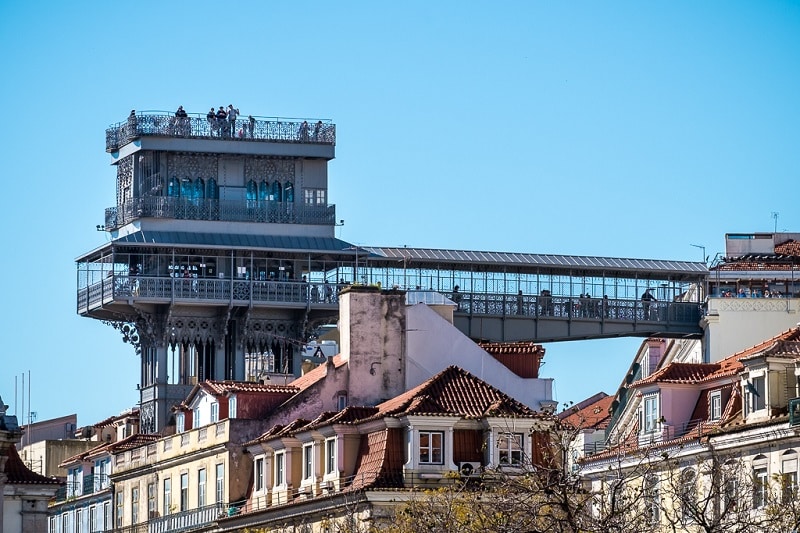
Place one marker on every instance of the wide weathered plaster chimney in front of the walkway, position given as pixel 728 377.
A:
pixel 372 326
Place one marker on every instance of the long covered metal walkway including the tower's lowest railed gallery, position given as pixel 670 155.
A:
pixel 499 297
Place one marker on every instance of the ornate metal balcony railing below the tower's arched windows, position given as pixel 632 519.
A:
pixel 224 210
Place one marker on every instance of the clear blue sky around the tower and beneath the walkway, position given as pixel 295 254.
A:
pixel 622 129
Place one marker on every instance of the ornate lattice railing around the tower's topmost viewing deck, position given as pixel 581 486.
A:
pixel 199 127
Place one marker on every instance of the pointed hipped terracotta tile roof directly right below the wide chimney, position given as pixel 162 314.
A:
pixel 454 392
